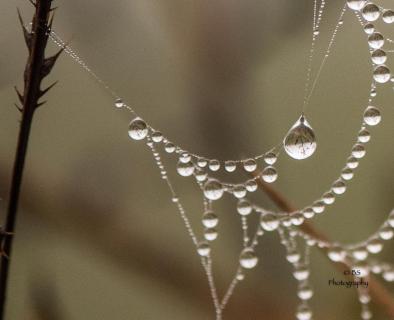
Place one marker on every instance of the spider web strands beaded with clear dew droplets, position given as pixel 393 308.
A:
pixel 213 189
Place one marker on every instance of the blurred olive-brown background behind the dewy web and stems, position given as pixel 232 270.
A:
pixel 97 235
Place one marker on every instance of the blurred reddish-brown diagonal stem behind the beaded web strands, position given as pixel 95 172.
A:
pixel 380 295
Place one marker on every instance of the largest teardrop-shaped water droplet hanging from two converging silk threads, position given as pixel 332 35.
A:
pixel 300 141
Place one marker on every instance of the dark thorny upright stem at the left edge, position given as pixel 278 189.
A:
pixel 37 68
